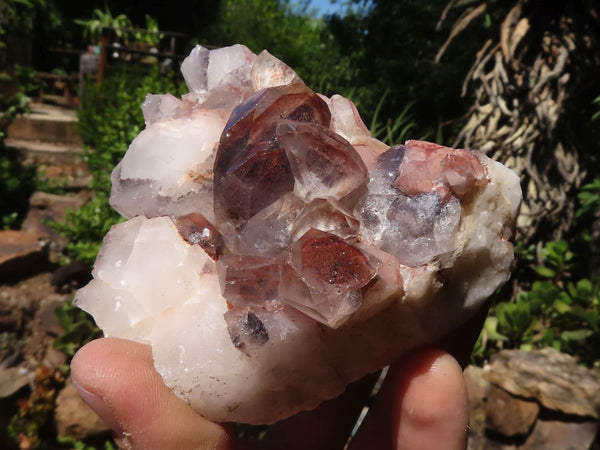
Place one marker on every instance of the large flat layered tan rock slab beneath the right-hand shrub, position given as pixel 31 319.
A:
pixel 552 378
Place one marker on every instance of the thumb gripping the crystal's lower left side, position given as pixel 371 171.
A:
pixel 117 379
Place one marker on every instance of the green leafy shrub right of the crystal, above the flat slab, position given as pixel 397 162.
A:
pixel 561 305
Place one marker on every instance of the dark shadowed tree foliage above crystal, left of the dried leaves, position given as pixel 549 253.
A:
pixel 391 45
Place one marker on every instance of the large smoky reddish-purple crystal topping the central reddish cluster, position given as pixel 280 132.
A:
pixel 255 162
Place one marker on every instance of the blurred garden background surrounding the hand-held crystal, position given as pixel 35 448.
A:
pixel 516 79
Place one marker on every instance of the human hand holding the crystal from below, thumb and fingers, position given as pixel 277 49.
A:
pixel 422 405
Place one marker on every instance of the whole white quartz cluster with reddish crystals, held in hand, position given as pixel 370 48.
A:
pixel 275 252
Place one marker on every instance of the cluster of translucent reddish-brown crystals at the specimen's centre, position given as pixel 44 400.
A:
pixel 280 175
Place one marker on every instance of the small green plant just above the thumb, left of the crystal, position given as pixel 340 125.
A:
pixel 78 326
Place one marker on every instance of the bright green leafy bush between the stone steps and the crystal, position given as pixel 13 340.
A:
pixel 110 118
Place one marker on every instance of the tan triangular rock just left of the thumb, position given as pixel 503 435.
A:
pixel 74 417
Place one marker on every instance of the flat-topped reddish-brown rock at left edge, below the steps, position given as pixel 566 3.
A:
pixel 21 252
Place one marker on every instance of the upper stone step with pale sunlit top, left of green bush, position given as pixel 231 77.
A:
pixel 49 123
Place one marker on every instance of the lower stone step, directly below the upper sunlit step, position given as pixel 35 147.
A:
pixel 61 162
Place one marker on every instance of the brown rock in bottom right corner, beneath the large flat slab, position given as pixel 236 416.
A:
pixel 561 435
